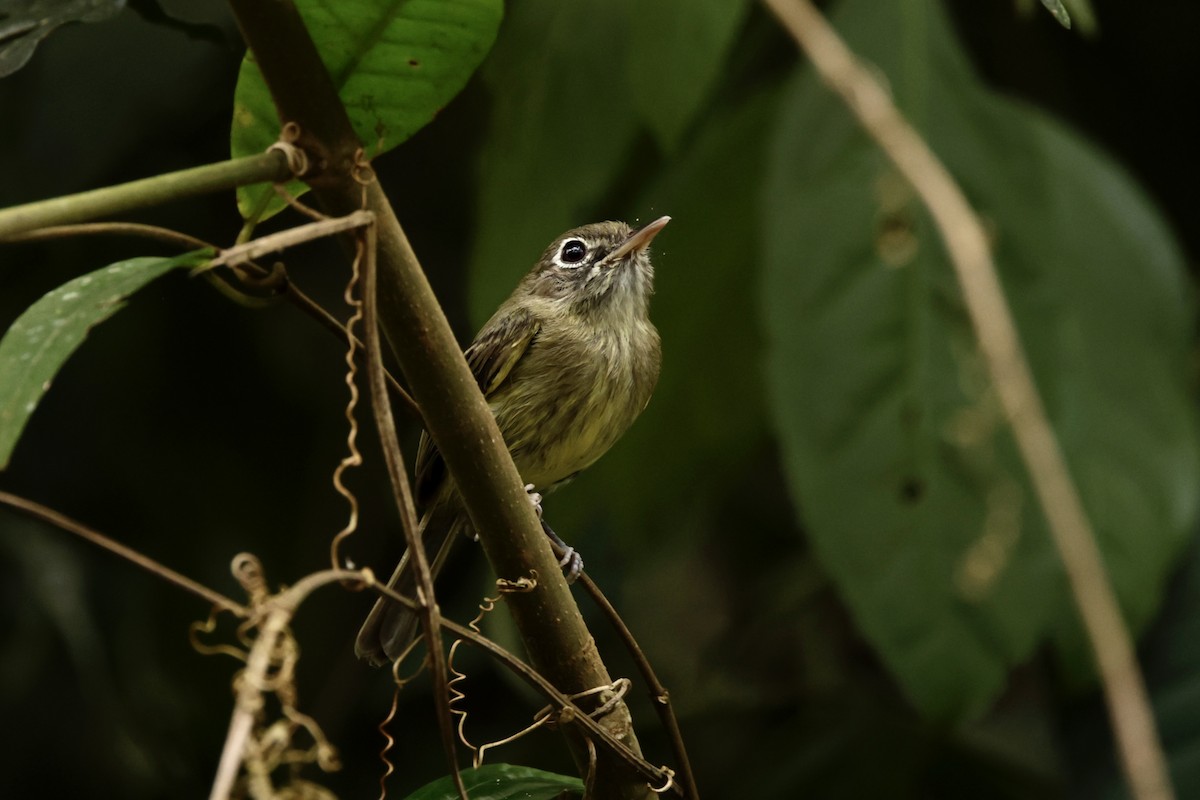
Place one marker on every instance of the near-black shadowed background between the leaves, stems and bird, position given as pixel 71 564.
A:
pixel 193 430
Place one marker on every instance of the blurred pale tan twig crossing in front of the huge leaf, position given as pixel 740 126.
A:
pixel 1133 723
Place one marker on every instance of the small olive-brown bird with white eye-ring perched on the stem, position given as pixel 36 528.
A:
pixel 567 365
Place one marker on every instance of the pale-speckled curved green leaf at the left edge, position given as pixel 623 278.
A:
pixel 43 339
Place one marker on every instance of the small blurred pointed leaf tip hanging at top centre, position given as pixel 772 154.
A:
pixel 676 52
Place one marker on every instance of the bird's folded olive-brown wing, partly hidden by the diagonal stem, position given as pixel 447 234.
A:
pixel 491 358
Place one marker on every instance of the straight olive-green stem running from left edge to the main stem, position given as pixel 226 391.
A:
pixel 113 201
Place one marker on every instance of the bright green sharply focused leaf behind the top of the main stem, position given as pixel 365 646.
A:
pixel 395 67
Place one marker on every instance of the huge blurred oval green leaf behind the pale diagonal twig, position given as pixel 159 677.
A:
pixel 897 454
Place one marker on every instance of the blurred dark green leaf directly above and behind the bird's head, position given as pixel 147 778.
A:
pixel 562 124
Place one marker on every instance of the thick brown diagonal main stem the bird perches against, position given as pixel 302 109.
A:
pixel 455 412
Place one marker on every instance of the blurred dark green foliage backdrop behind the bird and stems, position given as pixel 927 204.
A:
pixel 819 387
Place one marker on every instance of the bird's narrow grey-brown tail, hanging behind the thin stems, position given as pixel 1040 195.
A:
pixel 391 627
